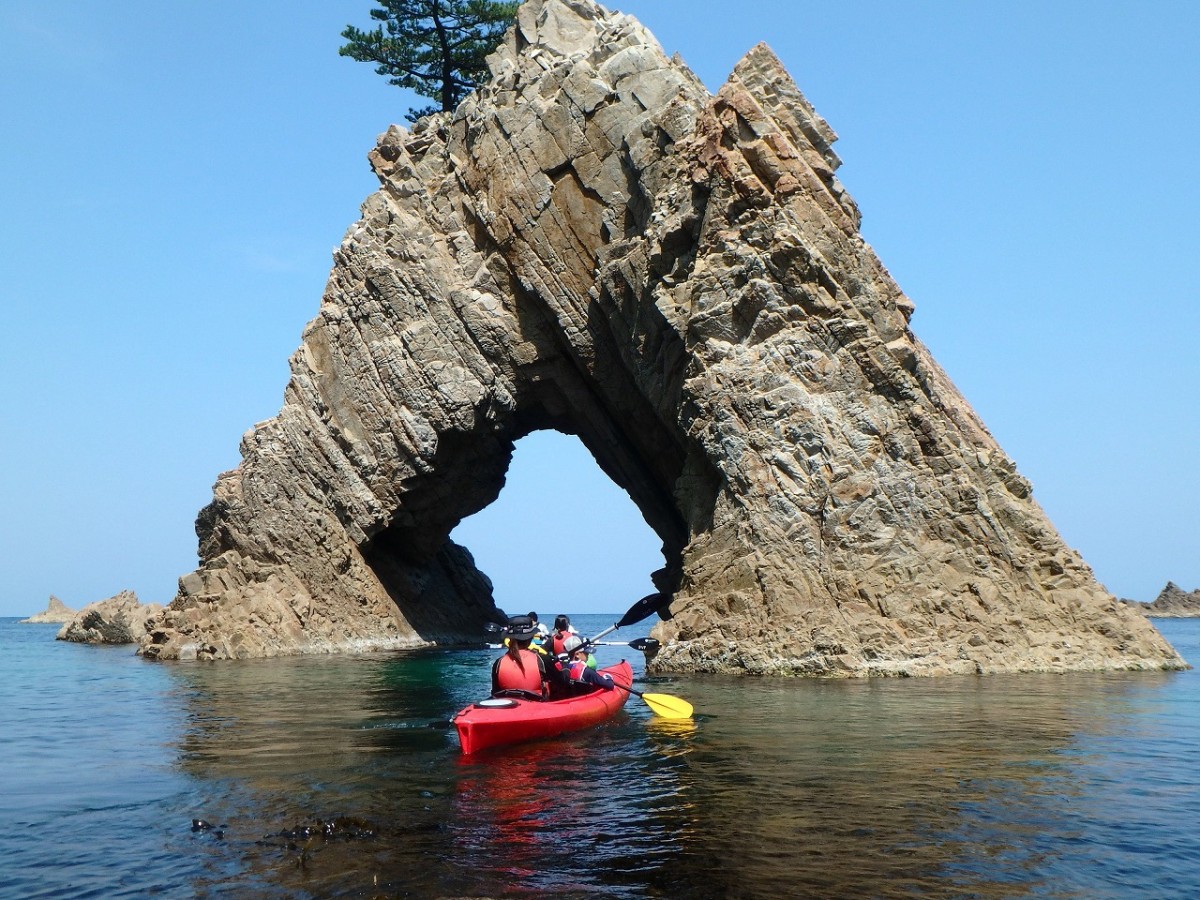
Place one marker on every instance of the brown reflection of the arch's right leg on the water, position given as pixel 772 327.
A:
pixel 885 789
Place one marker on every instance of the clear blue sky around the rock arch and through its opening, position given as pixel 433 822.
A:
pixel 175 178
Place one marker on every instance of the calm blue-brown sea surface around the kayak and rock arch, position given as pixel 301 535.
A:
pixel 338 777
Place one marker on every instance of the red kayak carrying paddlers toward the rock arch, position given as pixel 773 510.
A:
pixel 505 721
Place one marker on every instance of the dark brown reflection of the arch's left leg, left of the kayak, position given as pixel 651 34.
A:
pixel 325 772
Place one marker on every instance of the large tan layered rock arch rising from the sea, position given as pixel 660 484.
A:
pixel 596 244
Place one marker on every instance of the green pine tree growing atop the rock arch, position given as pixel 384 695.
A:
pixel 434 47
